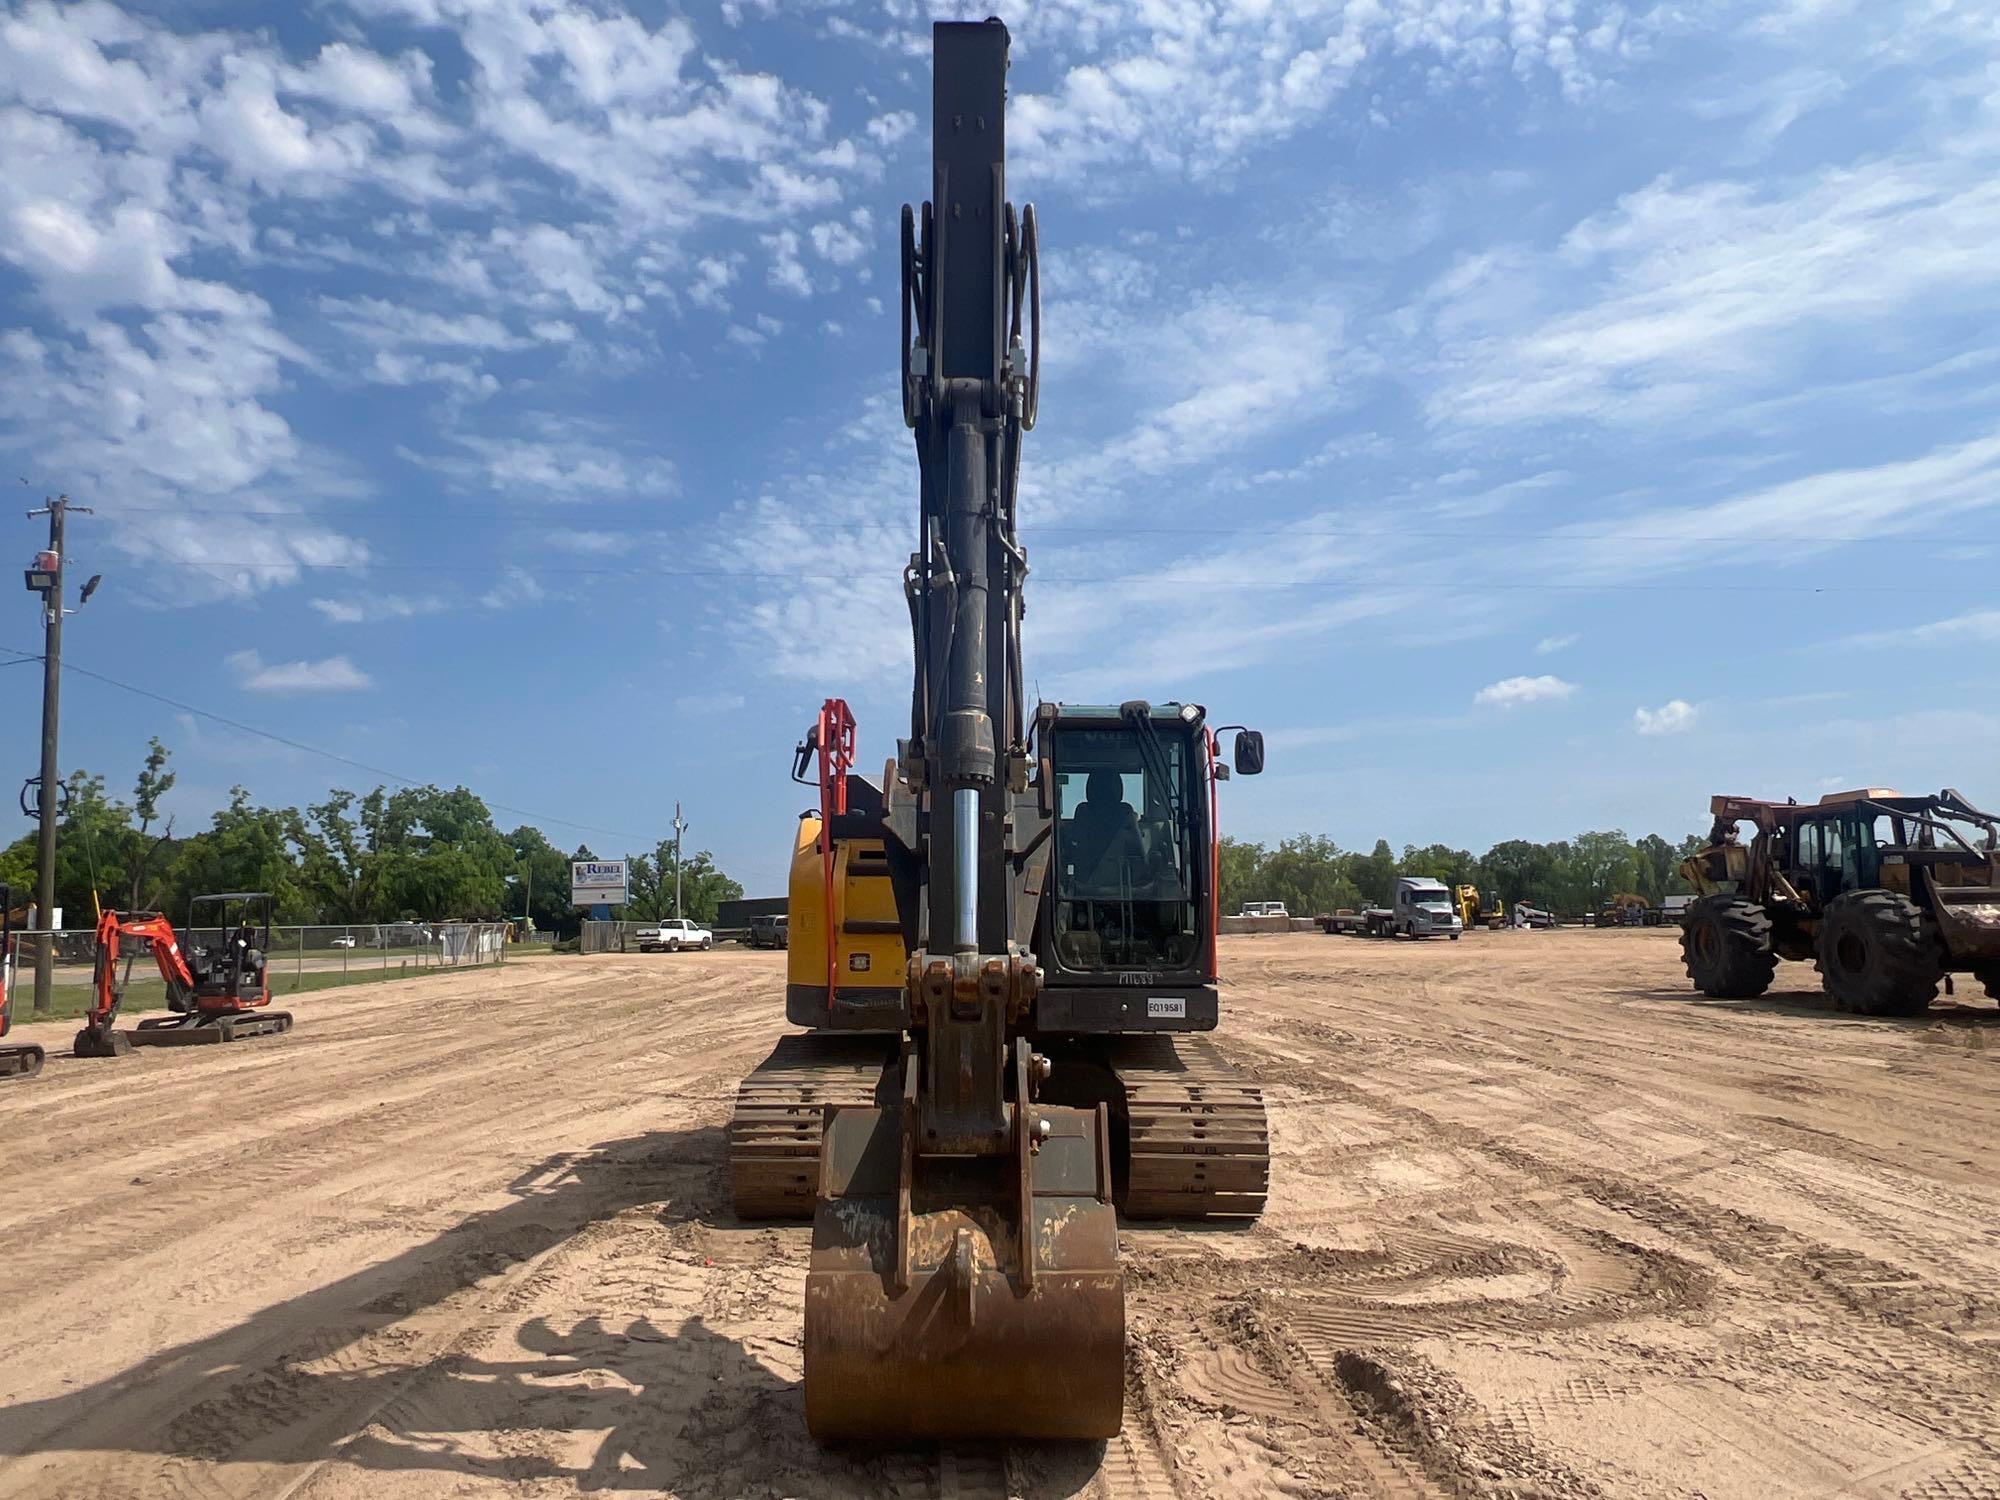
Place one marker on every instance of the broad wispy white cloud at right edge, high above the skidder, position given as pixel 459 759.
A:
pixel 1687 297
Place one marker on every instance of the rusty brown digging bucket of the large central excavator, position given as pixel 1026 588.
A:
pixel 933 1317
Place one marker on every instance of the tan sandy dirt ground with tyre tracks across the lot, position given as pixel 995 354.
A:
pixel 1543 1225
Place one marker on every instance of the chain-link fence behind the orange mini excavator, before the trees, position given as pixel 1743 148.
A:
pixel 299 959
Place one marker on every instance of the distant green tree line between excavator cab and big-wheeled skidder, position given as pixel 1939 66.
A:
pixel 1571 877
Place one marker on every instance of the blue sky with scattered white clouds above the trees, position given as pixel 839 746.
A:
pixel 1537 415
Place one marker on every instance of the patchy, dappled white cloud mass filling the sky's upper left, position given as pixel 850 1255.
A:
pixel 153 169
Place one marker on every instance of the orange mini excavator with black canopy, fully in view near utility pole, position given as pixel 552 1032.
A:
pixel 217 989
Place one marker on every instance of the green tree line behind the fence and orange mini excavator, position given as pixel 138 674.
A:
pixel 407 855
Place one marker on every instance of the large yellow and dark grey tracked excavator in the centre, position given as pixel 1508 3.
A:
pixel 1005 951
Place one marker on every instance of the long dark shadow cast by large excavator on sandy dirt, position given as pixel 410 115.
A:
pixel 681 1407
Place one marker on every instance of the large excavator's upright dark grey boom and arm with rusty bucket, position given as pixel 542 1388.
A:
pixel 965 1257
